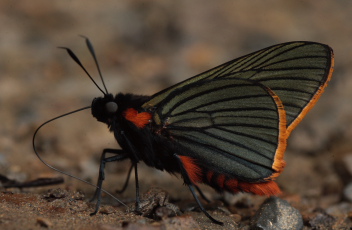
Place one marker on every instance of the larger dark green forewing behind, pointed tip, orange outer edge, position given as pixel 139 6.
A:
pixel 297 72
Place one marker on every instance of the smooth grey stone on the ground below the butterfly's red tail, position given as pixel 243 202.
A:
pixel 276 213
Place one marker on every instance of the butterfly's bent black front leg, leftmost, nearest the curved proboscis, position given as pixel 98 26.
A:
pixel 120 155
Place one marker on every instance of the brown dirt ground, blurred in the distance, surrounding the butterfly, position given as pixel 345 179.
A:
pixel 143 47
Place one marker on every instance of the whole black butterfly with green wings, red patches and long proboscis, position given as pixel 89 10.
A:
pixel 226 127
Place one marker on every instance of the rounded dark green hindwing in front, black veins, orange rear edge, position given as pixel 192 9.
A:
pixel 233 126
